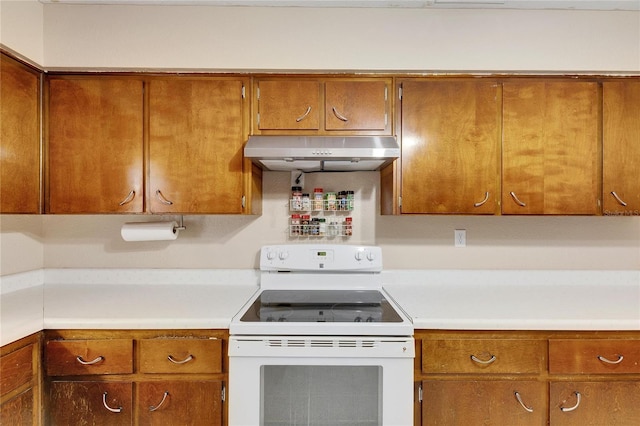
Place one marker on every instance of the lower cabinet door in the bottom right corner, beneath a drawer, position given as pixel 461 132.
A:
pixel 595 403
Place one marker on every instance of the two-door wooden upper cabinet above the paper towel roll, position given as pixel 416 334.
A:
pixel 175 149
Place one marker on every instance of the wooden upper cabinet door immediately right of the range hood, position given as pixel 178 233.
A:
pixel 450 138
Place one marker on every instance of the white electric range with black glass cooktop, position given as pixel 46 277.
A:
pixel 321 343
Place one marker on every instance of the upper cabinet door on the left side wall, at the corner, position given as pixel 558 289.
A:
pixel 19 138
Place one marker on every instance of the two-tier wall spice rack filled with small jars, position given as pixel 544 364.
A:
pixel 317 215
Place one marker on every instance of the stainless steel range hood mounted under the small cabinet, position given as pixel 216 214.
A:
pixel 322 153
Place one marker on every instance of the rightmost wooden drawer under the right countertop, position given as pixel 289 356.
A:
pixel 594 356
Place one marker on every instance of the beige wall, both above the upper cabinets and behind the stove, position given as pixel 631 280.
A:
pixel 325 39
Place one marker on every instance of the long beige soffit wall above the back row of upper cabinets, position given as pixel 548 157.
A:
pixel 360 39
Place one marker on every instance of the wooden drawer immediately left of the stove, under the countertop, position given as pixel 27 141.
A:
pixel 180 355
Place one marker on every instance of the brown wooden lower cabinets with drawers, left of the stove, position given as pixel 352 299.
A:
pixel 136 377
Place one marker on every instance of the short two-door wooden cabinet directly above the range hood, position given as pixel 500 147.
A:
pixel 322 106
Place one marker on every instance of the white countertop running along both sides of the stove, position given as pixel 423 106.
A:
pixel 183 299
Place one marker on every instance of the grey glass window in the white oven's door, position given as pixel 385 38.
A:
pixel 320 395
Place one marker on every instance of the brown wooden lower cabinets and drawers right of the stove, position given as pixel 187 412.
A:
pixel 527 378
